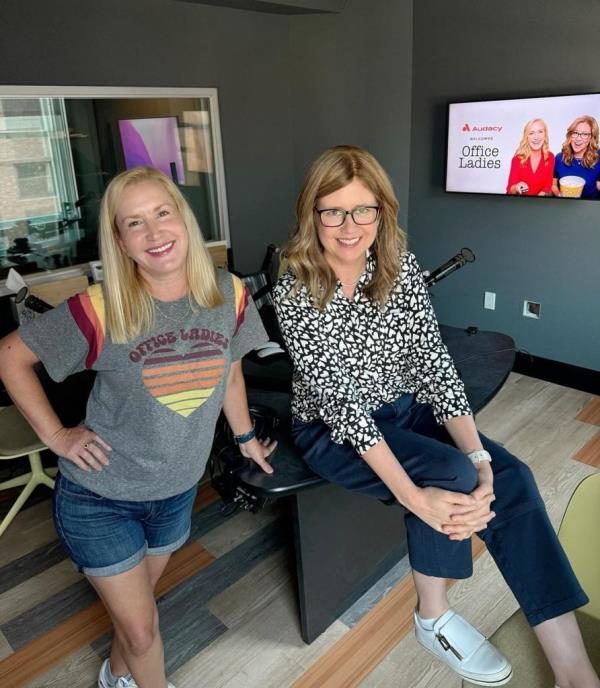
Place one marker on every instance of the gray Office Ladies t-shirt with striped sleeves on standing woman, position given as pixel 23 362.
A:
pixel 155 400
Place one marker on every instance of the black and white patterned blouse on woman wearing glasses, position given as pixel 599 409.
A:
pixel 352 357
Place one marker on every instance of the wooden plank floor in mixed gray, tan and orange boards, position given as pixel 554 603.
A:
pixel 228 601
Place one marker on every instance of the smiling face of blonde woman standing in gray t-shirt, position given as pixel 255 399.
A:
pixel 152 233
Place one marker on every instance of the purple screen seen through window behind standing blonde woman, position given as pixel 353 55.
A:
pixel 153 141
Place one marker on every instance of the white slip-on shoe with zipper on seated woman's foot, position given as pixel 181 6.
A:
pixel 465 650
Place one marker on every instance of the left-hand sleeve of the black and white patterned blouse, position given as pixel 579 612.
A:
pixel 320 377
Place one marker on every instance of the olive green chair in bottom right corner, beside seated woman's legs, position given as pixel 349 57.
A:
pixel 580 536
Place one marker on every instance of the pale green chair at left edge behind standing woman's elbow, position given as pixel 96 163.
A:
pixel 18 439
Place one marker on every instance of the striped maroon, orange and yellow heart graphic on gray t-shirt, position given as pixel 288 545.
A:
pixel 183 382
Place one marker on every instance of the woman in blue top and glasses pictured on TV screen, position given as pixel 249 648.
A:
pixel 580 157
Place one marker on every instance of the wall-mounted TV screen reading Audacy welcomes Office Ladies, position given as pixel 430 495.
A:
pixel 525 147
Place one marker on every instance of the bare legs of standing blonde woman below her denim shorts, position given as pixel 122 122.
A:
pixel 129 599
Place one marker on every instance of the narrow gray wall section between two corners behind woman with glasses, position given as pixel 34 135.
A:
pixel 351 77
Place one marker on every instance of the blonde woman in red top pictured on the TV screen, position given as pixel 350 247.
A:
pixel 532 166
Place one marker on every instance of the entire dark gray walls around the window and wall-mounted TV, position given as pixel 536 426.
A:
pixel 291 86
